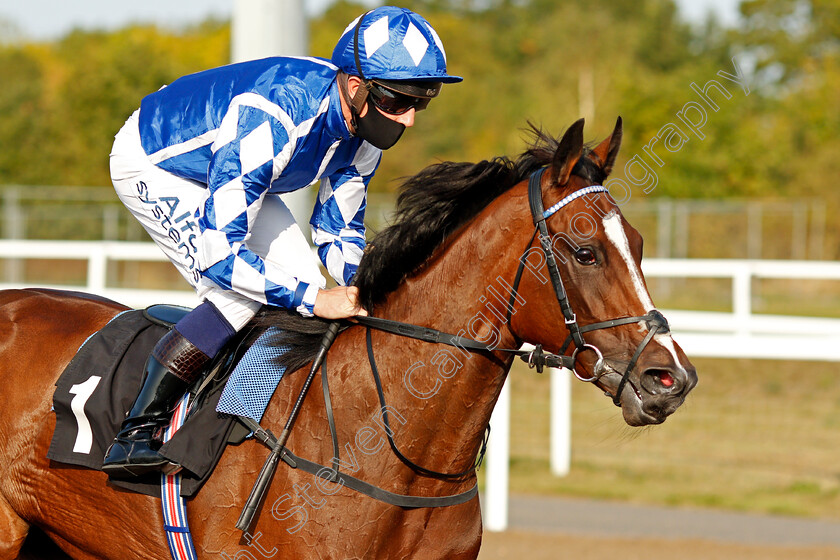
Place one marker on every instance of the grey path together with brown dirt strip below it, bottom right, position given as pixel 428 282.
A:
pixel 558 528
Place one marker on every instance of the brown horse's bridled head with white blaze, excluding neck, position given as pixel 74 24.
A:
pixel 593 301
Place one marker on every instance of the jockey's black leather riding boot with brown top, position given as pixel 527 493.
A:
pixel 174 365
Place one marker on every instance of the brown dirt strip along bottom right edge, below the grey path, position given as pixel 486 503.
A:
pixel 521 545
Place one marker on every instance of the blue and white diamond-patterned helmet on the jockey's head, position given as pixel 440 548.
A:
pixel 394 44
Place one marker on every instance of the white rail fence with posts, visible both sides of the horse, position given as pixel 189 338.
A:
pixel 740 333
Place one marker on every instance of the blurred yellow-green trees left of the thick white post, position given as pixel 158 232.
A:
pixel 63 102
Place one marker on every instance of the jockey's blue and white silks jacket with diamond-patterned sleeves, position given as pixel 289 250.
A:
pixel 252 129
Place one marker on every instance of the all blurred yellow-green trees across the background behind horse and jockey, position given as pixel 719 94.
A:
pixel 523 60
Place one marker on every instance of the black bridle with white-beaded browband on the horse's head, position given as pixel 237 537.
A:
pixel 654 320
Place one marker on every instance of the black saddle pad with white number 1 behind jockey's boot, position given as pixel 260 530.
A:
pixel 100 385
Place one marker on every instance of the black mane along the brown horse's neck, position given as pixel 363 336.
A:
pixel 431 206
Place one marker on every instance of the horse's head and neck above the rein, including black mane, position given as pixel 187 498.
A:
pixel 578 290
